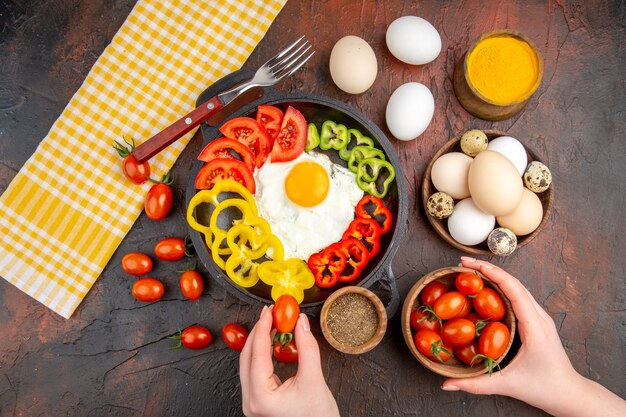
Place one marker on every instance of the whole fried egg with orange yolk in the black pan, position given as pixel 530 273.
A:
pixel 309 202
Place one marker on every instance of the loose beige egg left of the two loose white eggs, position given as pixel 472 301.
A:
pixel 353 65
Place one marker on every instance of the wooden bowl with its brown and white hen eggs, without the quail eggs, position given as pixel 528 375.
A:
pixel 515 208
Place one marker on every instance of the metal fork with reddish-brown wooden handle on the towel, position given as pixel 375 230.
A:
pixel 277 68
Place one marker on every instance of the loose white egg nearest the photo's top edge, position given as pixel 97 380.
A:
pixel 413 40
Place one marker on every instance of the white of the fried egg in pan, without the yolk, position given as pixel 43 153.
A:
pixel 306 230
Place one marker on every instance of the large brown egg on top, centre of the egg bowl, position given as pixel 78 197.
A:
pixel 494 183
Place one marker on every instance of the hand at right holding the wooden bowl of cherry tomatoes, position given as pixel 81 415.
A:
pixel 541 374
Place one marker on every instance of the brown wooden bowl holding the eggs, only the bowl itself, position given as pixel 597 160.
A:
pixel 441 225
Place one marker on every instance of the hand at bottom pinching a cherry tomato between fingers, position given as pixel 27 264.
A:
pixel 263 394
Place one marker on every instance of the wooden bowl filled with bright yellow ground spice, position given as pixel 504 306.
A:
pixel 498 75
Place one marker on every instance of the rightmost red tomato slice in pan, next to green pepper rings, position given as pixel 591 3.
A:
pixel 291 139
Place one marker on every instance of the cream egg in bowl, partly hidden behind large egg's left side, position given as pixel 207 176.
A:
pixel 449 174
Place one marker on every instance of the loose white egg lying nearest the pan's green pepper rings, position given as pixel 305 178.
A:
pixel 409 110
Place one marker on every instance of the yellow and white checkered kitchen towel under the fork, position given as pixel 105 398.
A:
pixel 70 206
